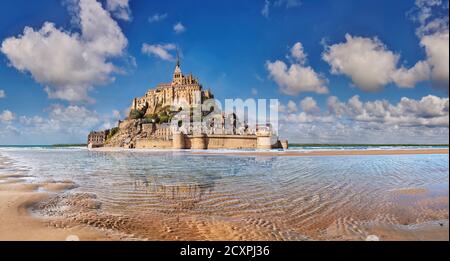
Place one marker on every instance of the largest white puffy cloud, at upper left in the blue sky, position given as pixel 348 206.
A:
pixel 69 64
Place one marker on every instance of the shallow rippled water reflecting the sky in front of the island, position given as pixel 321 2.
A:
pixel 328 197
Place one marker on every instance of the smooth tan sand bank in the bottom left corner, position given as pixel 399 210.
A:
pixel 16 222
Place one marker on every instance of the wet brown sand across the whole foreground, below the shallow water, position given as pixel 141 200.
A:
pixel 64 214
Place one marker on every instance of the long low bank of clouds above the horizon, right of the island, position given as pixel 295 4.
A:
pixel 424 120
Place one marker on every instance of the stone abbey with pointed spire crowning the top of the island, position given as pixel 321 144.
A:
pixel 183 88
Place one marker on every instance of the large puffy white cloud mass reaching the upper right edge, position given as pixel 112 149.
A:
pixel 371 65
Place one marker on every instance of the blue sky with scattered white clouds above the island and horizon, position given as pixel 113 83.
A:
pixel 229 46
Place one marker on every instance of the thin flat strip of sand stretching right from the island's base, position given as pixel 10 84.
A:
pixel 328 152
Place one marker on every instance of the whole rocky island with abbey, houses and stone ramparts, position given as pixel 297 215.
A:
pixel 150 122
